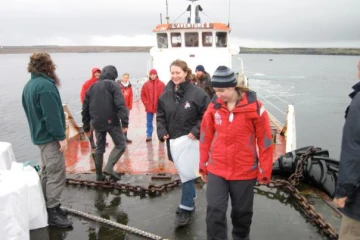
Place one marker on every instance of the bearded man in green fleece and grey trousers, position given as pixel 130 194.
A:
pixel 43 108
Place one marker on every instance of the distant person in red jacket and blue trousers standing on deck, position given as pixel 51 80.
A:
pixel 150 93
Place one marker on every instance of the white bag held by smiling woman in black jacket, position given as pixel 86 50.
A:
pixel 186 156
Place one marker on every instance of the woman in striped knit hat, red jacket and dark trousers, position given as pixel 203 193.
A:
pixel 235 152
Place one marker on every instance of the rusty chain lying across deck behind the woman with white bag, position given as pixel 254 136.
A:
pixel 151 190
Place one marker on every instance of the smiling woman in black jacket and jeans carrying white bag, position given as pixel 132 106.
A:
pixel 179 113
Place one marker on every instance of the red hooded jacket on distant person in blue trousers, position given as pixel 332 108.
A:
pixel 150 93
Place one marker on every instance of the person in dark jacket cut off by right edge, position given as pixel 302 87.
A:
pixel 347 194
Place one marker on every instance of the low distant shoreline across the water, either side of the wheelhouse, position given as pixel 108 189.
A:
pixel 114 49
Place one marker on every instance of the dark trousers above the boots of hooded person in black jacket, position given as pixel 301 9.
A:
pixel 116 135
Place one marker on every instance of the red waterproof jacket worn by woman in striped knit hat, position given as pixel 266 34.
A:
pixel 236 145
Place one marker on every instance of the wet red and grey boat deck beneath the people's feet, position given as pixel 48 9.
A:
pixel 276 215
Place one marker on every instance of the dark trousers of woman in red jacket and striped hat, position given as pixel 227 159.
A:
pixel 241 193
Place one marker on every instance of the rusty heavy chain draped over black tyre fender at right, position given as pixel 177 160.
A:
pixel 309 210
